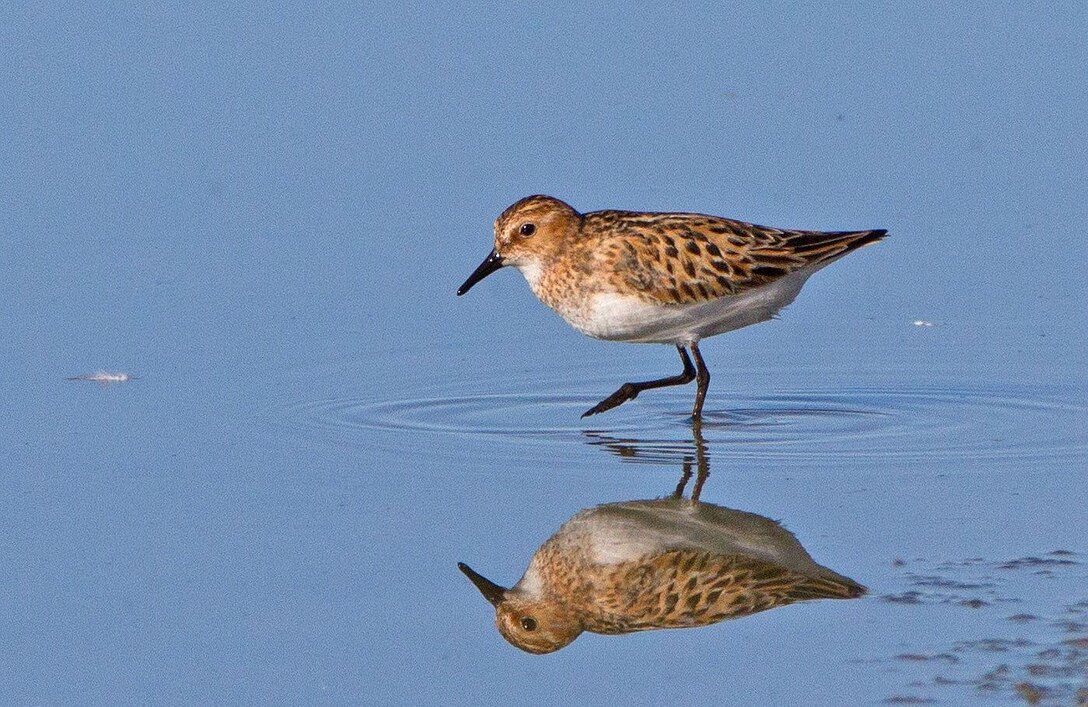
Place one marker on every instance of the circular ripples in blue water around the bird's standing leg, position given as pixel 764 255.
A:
pixel 965 423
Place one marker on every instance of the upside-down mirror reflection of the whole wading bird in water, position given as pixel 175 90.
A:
pixel 665 564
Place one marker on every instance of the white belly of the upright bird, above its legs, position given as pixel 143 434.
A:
pixel 626 318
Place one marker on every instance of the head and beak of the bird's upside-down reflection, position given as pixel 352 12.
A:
pixel 529 623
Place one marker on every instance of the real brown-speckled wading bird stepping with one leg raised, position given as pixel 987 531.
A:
pixel 659 278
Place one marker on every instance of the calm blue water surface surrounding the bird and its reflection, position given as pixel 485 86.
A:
pixel 264 212
